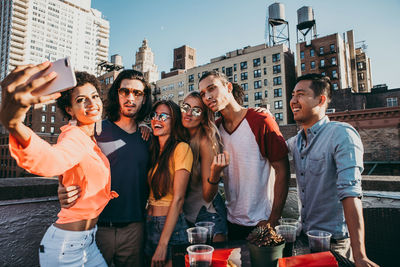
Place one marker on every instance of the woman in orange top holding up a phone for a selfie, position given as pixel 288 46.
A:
pixel 76 156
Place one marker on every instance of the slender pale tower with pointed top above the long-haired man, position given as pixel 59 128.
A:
pixel 145 63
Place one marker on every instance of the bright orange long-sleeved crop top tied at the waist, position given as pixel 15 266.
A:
pixel 78 158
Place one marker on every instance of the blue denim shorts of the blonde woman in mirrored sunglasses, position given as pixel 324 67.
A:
pixel 218 218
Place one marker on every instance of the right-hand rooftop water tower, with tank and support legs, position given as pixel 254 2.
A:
pixel 306 25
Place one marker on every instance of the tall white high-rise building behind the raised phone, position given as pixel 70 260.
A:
pixel 34 31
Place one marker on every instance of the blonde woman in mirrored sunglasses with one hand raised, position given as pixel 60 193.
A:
pixel 203 202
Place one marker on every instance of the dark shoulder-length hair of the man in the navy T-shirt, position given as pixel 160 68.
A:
pixel 112 103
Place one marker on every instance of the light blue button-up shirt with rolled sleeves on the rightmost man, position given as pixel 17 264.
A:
pixel 328 169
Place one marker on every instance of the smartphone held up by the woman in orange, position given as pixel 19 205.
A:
pixel 65 78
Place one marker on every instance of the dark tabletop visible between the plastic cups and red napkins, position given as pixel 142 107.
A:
pixel 300 248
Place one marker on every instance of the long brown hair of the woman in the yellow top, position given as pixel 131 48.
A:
pixel 161 181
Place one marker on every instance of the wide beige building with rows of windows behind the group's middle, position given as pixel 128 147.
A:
pixel 267 75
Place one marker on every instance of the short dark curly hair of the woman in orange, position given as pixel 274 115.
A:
pixel 82 78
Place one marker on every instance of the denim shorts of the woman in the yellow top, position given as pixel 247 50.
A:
pixel 154 227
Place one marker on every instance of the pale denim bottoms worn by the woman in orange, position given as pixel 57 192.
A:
pixel 70 248
